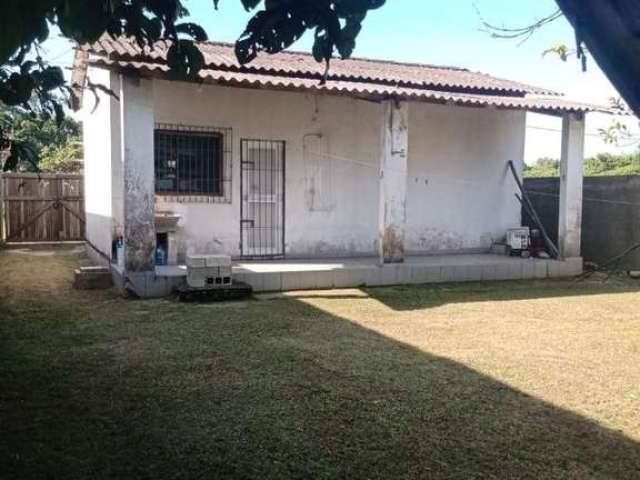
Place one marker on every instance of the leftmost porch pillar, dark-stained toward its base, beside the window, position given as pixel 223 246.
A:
pixel 137 122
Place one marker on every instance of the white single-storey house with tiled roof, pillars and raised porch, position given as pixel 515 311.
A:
pixel 386 173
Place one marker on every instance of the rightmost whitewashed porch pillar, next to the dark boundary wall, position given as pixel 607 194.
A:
pixel 572 156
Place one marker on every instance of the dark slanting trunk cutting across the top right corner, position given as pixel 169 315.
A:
pixel 610 29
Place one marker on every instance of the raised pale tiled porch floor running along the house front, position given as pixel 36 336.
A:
pixel 305 274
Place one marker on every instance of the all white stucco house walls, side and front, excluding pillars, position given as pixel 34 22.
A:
pixel 459 194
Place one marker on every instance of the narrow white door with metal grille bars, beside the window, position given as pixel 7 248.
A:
pixel 262 192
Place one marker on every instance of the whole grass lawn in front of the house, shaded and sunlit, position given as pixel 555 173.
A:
pixel 503 380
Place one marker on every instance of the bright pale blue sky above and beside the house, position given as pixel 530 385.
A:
pixel 451 33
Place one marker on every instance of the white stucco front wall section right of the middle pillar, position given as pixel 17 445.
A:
pixel 460 194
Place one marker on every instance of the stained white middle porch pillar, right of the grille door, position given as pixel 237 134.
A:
pixel 393 181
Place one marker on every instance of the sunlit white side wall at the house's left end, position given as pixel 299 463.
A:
pixel 101 143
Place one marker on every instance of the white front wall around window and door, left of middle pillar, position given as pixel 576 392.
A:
pixel 343 223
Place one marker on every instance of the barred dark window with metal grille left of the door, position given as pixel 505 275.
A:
pixel 193 164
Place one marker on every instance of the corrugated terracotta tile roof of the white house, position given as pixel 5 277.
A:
pixel 354 77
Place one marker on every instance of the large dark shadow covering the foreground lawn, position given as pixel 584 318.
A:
pixel 279 389
